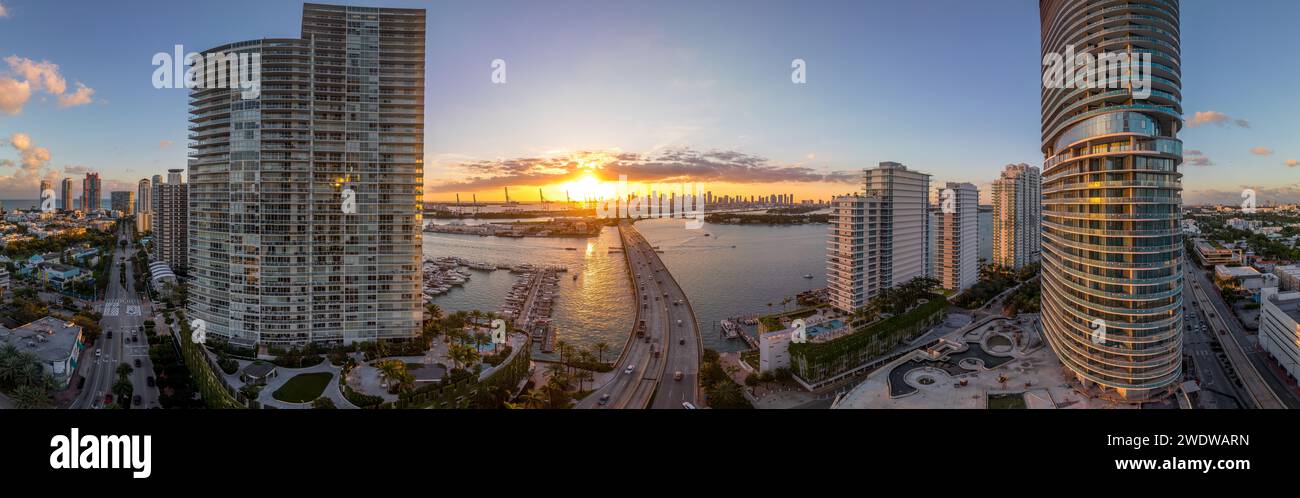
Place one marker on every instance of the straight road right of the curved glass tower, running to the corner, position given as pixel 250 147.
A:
pixel 1263 388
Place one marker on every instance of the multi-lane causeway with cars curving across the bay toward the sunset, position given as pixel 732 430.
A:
pixel 671 330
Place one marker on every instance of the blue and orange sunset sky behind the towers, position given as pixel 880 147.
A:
pixel 661 92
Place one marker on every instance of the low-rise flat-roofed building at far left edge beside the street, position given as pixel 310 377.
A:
pixel 55 343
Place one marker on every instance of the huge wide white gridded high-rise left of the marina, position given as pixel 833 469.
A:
pixel 278 256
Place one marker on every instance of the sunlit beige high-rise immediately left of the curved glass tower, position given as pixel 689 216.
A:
pixel 1017 209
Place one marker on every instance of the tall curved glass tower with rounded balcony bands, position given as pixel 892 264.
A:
pixel 1112 198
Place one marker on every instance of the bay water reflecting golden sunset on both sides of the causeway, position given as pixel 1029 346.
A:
pixel 766 266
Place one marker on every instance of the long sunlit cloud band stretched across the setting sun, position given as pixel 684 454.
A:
pixel 664 167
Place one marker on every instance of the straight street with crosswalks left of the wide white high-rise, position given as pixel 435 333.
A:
pixel 124 314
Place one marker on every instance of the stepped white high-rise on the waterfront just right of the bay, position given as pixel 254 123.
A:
pixel 879 239
